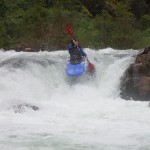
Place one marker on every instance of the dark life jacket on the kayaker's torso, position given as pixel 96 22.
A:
pixel 75 56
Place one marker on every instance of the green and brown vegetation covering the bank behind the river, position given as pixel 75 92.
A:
pixel 120 24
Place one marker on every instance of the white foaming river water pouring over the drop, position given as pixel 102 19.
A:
pixel 86 115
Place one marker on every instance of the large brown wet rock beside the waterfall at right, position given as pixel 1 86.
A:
pixel 135 83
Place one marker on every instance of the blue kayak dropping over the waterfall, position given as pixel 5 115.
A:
pixel 75 69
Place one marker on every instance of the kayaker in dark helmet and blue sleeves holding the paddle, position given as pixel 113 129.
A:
pixel 76 52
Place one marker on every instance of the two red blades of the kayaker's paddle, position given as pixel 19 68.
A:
pixel 69 30
